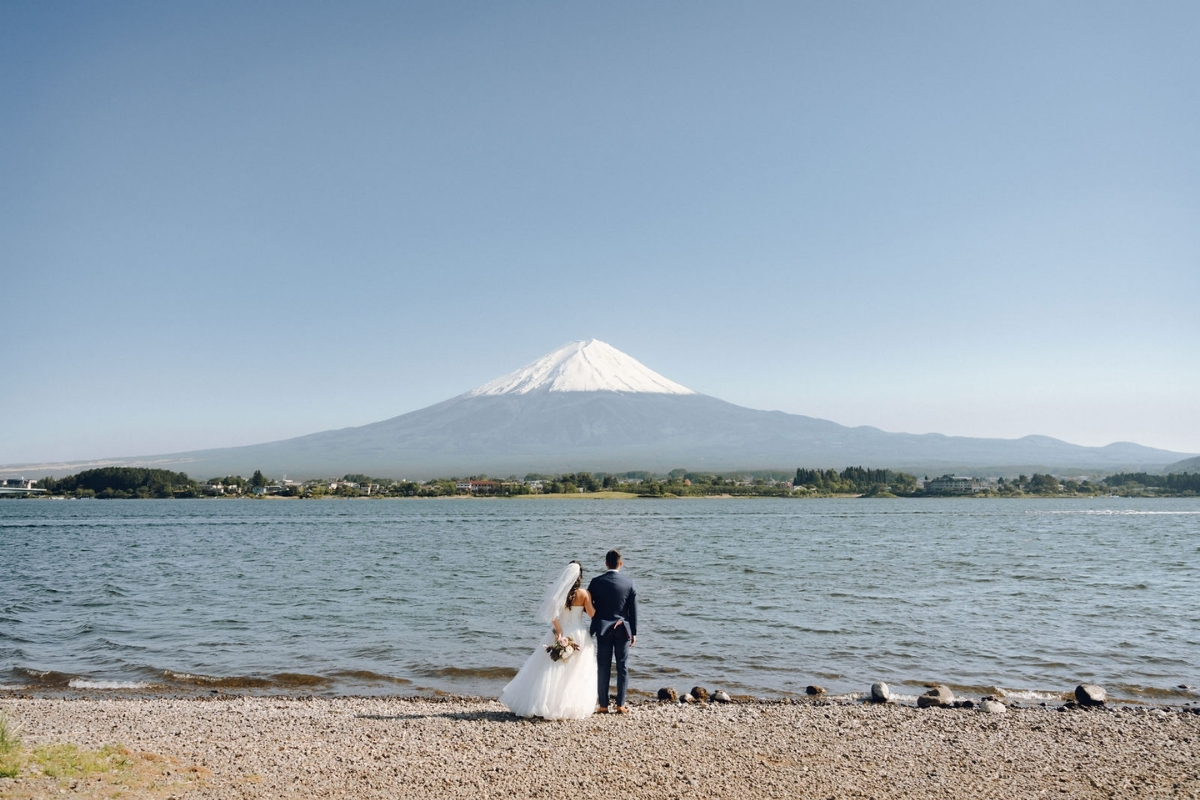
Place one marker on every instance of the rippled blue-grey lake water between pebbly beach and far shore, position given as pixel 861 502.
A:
pixel 757 597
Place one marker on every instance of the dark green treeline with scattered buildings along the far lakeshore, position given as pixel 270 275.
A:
pixel 133 483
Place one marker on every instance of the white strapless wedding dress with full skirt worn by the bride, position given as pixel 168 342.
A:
pixel 557 690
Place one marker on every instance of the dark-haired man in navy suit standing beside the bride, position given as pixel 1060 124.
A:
pixel 615 628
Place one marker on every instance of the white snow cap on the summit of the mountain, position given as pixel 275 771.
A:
pixel 591 366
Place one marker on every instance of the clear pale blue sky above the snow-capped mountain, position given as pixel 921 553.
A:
pixel 229 224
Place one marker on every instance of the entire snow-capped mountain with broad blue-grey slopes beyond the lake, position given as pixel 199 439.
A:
pixel 590 407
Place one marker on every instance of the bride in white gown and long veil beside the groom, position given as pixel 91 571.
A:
pixel 565 689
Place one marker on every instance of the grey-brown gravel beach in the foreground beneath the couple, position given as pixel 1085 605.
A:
pixel 395 748
